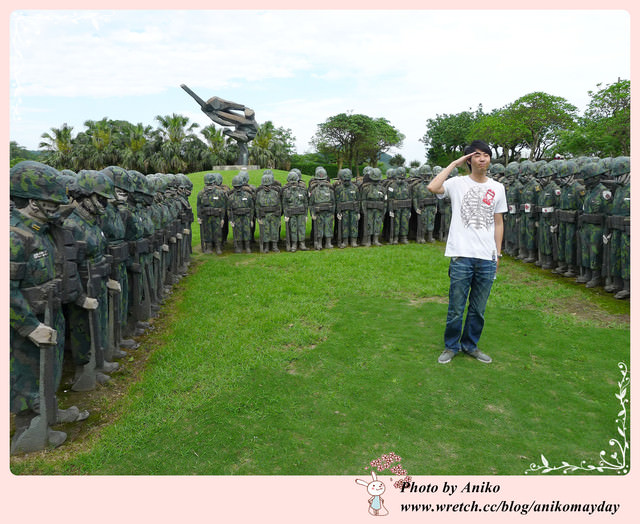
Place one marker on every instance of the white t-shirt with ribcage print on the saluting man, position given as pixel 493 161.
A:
pixel 471 233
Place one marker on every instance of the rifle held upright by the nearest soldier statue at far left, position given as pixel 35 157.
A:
pixel 36 436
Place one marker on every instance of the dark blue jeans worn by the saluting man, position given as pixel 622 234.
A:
pixel 471 278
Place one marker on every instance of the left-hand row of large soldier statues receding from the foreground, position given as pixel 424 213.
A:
pixel 92 257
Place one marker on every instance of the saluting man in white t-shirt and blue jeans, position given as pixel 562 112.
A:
pixel 474 244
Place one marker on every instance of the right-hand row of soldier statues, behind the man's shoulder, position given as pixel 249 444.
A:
pixel 572 217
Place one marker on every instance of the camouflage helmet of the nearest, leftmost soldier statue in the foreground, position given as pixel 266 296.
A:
pixel 31 179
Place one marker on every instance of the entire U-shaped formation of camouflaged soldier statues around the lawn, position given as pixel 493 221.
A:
pixel 94 254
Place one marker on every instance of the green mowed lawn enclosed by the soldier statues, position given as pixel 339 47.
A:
pixel 315 363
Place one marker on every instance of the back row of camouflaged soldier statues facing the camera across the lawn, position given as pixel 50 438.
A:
pixel 353 212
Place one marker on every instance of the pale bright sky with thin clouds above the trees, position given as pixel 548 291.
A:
pixel 298 68
